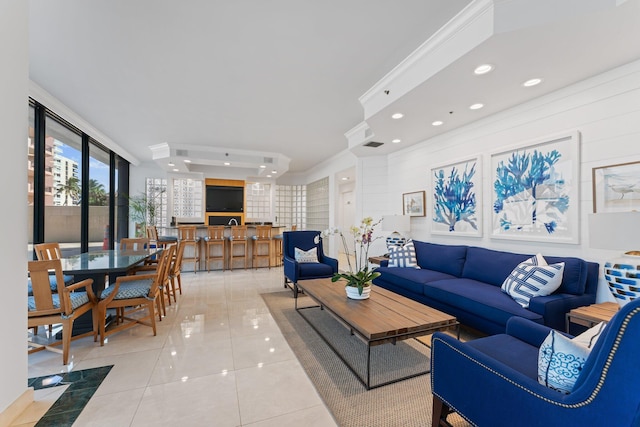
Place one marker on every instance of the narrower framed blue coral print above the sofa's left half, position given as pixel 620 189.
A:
pixel 456 198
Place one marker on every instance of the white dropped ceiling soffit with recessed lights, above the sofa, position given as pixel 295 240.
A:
pixel 560 42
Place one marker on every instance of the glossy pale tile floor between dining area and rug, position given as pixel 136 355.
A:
pixel 219 359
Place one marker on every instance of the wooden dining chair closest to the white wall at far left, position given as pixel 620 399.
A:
pixel 63 307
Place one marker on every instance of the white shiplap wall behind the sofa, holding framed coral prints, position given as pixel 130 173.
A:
pixel 604 109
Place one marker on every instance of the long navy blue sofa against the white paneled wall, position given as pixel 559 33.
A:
pixel 465 281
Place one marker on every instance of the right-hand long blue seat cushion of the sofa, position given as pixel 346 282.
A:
pixel 480 299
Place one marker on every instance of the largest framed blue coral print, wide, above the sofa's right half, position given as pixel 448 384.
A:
pixel 536 190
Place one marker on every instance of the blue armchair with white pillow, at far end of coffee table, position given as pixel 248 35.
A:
pixel 293 270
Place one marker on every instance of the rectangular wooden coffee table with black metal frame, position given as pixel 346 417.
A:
pixel 385 317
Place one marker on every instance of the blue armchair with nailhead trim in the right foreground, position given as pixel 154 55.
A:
pixel 492 381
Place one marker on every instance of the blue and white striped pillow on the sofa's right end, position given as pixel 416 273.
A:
pixel 533 278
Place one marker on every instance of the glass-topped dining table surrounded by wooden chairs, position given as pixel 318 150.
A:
pixel 103 266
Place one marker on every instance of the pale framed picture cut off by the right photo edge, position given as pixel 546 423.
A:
pixel 616 188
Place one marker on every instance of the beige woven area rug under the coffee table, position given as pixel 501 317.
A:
pixel 405 403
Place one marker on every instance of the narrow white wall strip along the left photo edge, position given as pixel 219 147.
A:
pixel 14 74
